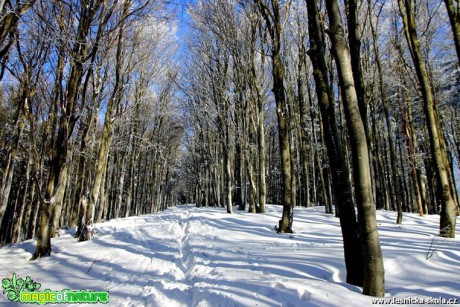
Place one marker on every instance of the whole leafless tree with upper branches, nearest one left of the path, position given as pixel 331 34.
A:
pixel 68 110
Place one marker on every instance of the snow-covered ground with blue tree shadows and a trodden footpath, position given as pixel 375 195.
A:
pixel 187 256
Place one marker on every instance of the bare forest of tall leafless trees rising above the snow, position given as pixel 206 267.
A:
pixel 118 108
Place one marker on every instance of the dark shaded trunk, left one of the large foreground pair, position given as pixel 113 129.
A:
pixel 339 169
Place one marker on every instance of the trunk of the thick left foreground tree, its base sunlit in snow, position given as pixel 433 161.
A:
pixel 67 99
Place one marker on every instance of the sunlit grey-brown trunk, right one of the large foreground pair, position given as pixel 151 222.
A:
pixel 373 262
